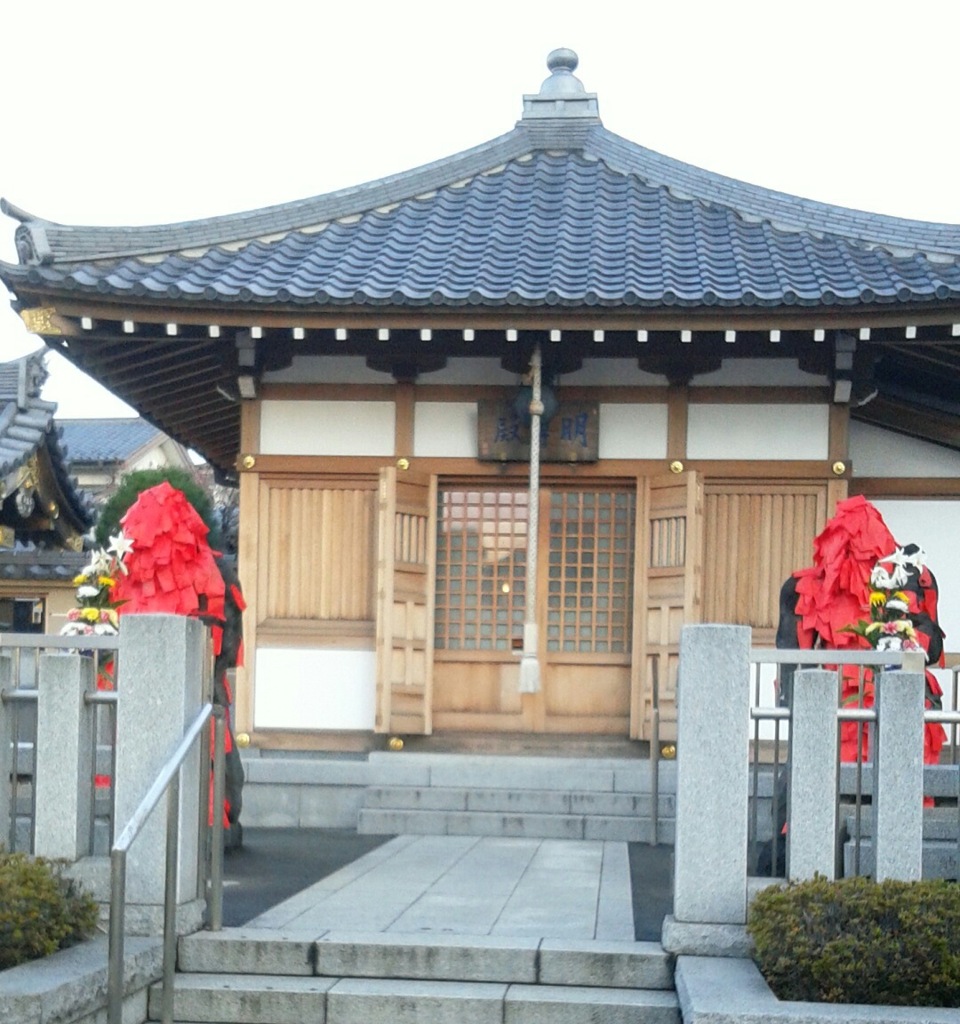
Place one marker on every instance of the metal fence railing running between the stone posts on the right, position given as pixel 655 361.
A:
pixel 772 762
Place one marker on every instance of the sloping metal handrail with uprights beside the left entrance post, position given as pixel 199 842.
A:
pixel 168 781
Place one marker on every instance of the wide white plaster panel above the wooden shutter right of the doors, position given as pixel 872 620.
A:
pixel 749 432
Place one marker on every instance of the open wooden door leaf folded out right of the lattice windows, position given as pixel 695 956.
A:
pixel 669 579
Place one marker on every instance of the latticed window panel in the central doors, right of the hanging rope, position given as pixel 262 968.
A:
pixel 590 603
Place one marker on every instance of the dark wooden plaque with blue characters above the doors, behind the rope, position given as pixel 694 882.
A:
pixel 572 435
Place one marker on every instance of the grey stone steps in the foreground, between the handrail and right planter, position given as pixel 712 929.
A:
pixel 255 976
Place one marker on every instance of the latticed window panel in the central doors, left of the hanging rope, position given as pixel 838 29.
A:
pixel 482 569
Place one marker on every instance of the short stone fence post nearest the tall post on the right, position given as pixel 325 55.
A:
pixel 814 774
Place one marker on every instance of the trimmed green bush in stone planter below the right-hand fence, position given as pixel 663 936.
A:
pixel 860 942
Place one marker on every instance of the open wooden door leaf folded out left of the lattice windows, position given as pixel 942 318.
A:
pixel 407 559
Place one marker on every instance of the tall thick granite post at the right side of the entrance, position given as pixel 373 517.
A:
pixel 713 776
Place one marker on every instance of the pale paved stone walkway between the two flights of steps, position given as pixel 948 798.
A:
pixel 467 885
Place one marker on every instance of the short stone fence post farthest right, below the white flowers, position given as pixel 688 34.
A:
pixel 898 794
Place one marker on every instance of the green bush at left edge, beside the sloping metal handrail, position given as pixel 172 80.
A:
pixel 40 911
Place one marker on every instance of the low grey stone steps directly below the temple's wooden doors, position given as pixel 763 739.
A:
pixel 528 797
